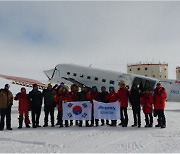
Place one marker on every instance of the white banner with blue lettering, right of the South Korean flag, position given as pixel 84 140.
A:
pixel 108 111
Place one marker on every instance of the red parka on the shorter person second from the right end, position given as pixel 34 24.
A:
pixel 147 103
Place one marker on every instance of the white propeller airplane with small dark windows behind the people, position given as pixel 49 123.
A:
pixel 88 76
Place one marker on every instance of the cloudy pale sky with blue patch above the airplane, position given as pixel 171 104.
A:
pixel 35 36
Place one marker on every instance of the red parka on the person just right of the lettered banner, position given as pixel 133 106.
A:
pixel 123 95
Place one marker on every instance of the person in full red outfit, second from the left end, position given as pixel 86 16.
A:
pixel 23 107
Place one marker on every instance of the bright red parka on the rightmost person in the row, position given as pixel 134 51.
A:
pixel 159 98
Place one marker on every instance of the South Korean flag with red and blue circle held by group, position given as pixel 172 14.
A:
pixel 77 110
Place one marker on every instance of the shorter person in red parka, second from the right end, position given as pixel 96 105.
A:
pixel 147 104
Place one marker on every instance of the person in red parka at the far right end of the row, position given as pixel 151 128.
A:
pixel 159 105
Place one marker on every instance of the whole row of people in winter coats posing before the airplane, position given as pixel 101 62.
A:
pixel 153 104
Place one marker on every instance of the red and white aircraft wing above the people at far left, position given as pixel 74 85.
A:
pixel 23 81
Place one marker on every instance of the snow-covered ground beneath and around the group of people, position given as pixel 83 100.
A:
pixel 95 139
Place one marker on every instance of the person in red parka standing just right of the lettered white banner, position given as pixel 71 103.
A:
pixel 123 97
